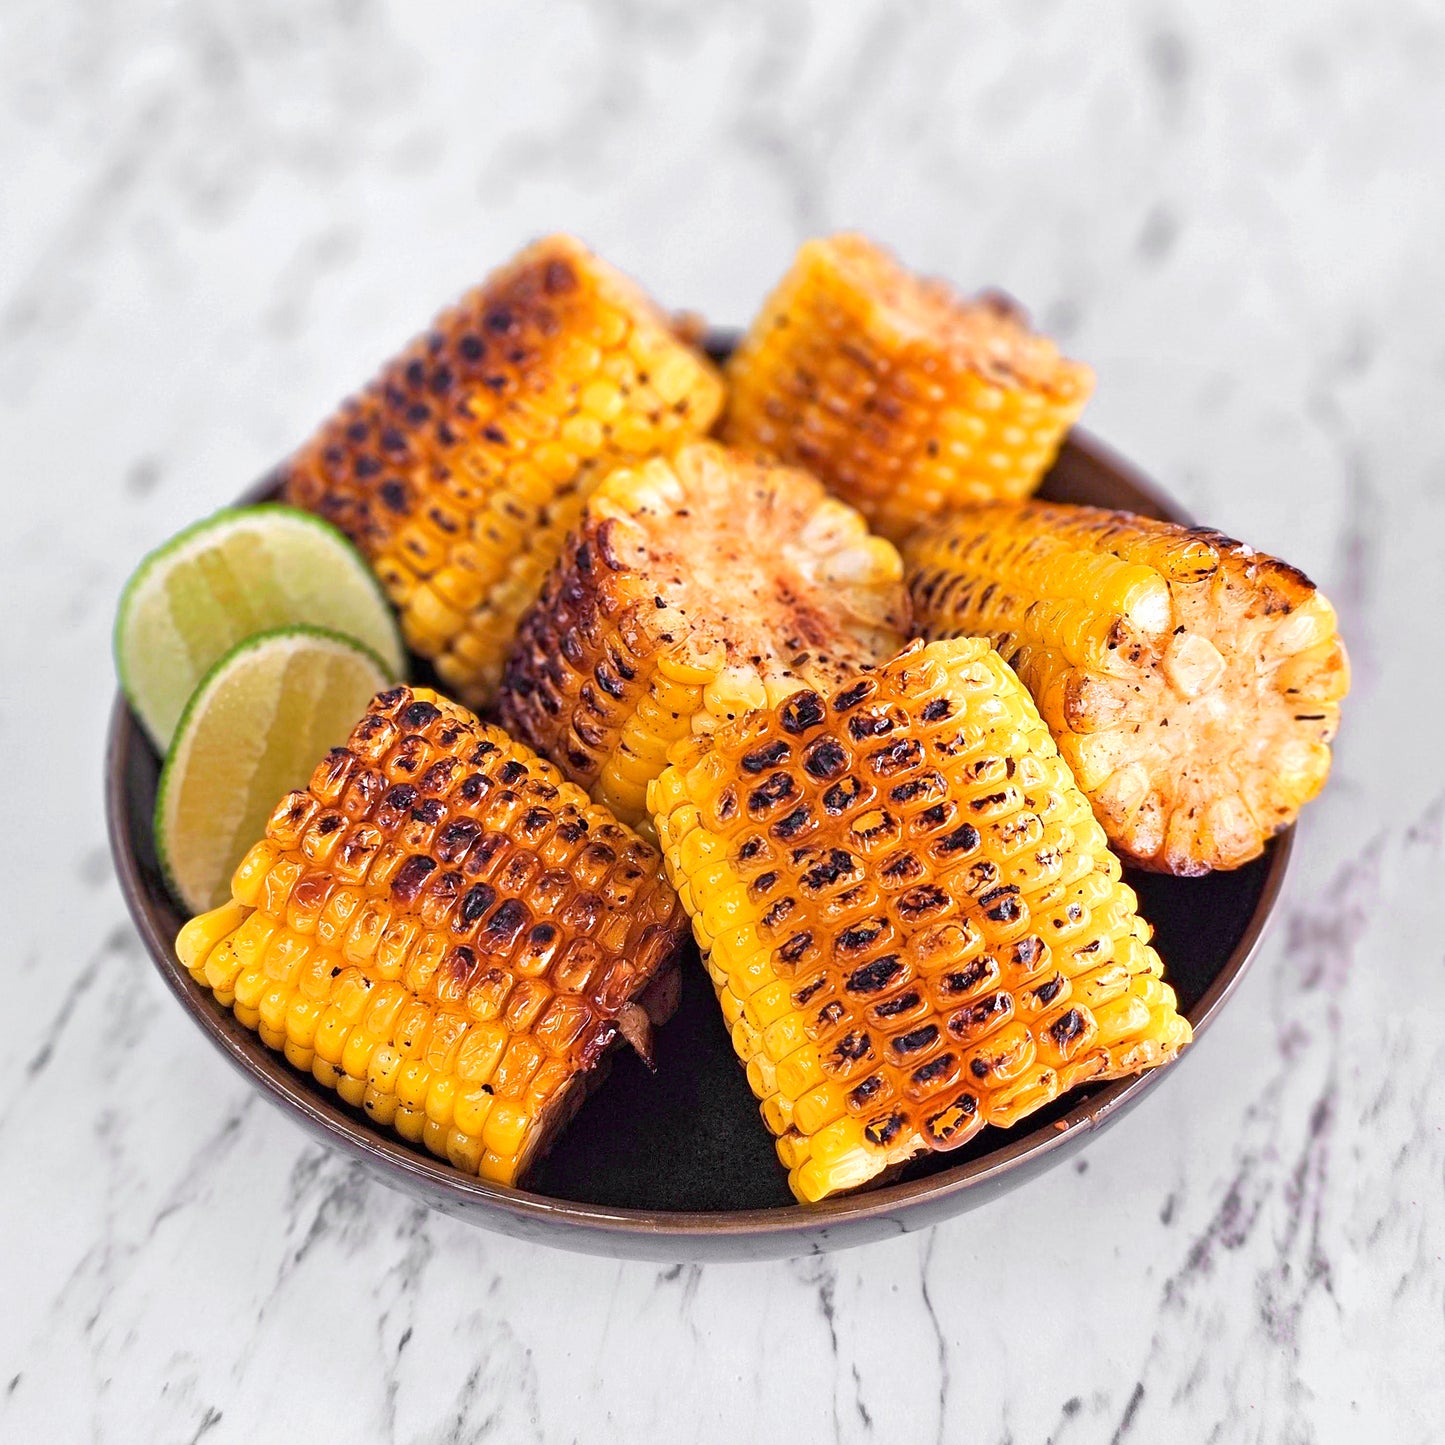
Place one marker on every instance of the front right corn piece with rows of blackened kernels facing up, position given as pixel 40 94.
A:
pixel 913 921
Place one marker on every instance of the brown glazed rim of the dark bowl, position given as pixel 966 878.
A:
pixel 398 1163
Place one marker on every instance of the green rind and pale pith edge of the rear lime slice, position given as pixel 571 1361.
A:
pixel 213 531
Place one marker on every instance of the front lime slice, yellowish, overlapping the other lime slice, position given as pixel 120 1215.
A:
pixel 259 723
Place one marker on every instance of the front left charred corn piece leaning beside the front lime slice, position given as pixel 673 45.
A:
pixel 446 933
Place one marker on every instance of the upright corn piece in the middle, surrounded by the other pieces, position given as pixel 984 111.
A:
pixel 697 587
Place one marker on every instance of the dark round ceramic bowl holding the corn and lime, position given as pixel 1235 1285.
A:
pixel 678 1165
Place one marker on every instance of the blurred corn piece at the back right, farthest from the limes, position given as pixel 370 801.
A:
pixel 902 397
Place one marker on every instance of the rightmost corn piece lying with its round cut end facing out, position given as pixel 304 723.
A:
pixel 1191 683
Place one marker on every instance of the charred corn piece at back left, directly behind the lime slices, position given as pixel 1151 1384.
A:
pixel 463 466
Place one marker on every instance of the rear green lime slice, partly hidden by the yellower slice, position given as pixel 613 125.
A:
pixel 236 574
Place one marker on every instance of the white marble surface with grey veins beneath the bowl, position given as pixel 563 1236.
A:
pixel 216 216
